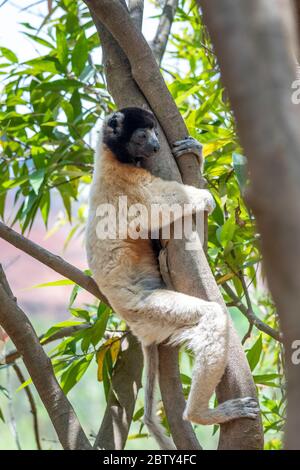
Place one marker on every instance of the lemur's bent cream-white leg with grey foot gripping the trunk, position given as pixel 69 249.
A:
pixel 203 327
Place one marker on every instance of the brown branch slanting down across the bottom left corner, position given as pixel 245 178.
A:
pixel 20 330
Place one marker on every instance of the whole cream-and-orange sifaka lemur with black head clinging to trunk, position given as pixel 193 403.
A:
pixel 127 269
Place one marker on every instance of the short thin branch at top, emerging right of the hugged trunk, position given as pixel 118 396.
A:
pixel 162 34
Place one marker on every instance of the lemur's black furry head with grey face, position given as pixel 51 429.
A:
pixel 131 134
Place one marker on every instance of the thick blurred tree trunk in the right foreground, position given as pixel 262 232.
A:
pixel 256 45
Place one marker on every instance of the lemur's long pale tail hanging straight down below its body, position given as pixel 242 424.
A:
pixel 150 418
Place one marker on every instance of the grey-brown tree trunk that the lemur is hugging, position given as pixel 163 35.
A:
pixel 190 272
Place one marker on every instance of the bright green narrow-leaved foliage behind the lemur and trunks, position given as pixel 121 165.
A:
pixel 49 106
